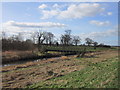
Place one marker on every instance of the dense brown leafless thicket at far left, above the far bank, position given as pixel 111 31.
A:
pixel 15 42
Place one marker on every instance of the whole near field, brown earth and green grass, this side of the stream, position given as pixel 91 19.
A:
pixel 94 70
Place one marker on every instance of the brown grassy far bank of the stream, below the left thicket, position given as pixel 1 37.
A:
pixel 15 56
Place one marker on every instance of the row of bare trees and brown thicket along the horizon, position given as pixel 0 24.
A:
pixel 16 42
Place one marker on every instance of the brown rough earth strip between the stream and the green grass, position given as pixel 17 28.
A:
pixel 19 76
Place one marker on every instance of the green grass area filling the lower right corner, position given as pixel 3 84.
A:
pixel 95 75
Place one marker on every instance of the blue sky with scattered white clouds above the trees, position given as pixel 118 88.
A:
pixel 98 21
